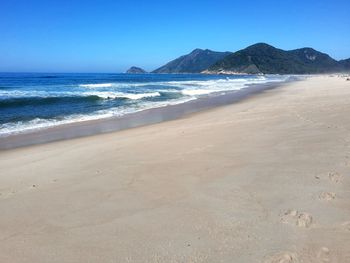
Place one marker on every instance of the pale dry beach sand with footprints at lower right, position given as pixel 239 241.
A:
pixel 266 179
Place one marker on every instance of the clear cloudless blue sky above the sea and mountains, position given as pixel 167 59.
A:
pixel 110 36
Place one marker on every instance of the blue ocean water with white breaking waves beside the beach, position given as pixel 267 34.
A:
pixel 32 100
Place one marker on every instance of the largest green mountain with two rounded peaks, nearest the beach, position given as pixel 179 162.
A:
pixel 266 59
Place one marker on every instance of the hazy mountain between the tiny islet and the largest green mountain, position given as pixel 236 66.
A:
pixel 194 62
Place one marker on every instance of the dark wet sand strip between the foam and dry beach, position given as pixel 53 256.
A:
pixel 132 120
